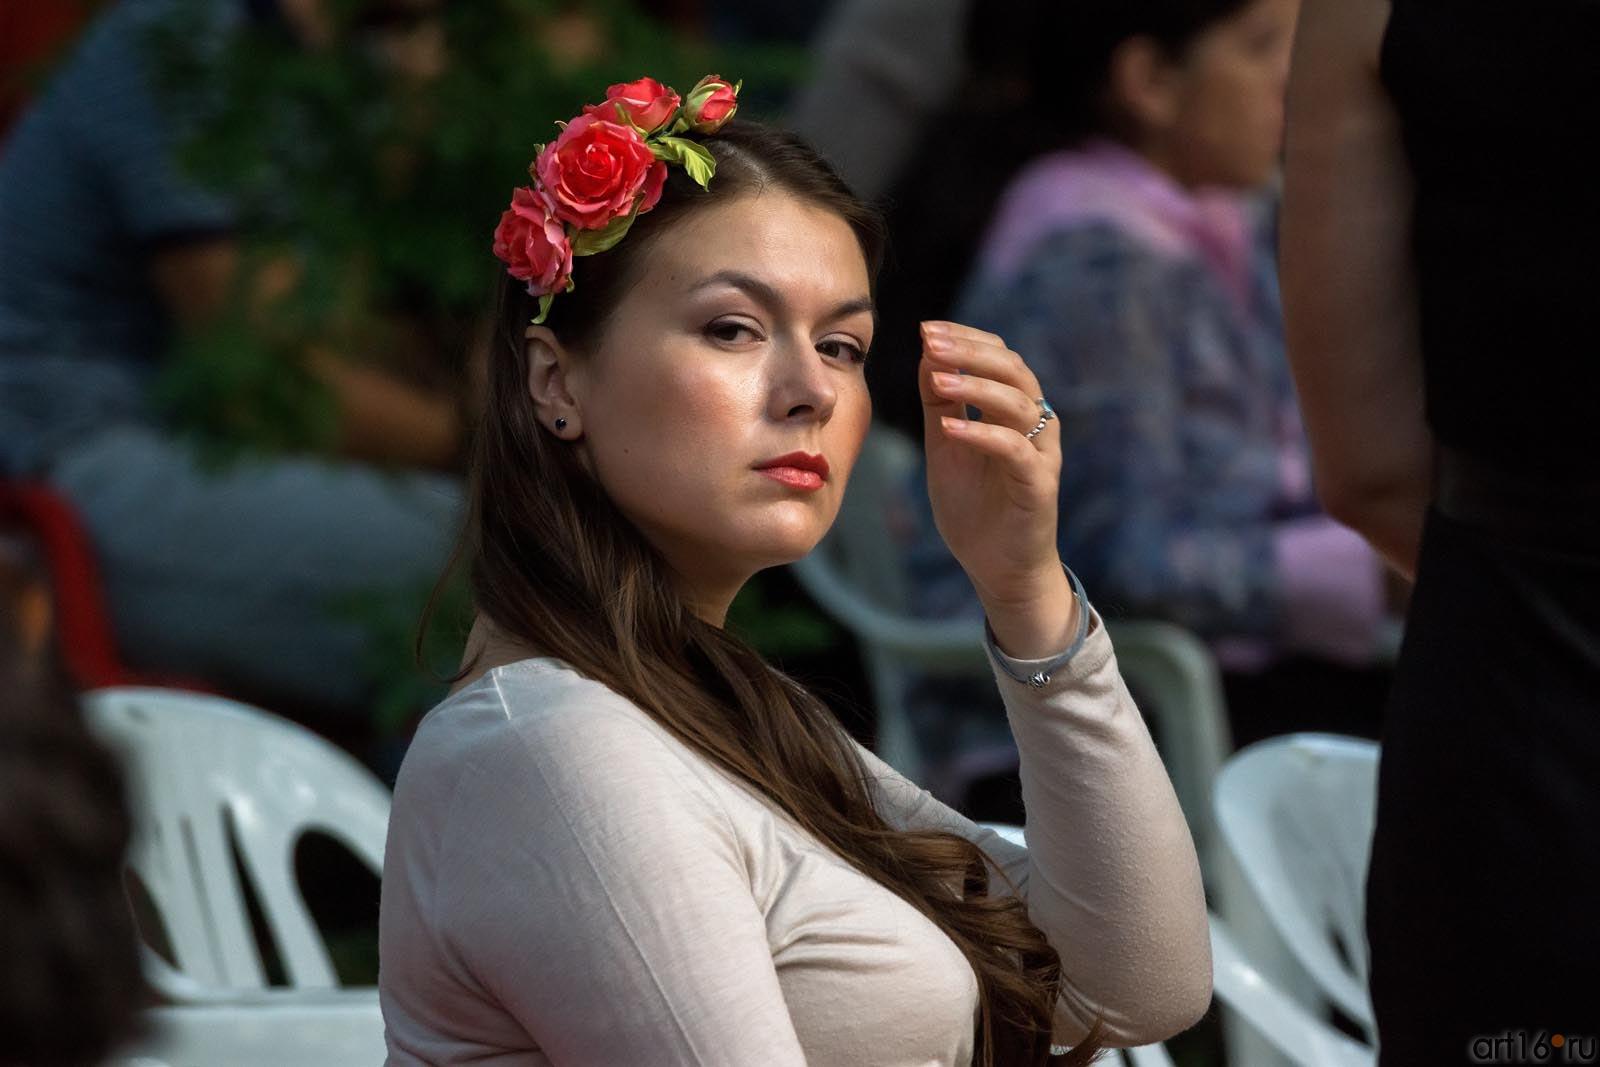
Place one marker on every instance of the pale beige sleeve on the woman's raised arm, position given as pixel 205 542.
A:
pixel 1110 871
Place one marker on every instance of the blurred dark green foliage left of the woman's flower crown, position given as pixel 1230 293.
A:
pixel 367 207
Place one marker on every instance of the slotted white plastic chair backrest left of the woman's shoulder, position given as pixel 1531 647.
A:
pixel 209 778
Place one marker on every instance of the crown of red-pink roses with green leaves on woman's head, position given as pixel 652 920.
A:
pixel 606 170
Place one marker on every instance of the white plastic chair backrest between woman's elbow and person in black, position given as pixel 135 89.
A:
pixel 1298 815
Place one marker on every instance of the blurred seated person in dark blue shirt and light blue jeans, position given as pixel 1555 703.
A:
pixel 110 252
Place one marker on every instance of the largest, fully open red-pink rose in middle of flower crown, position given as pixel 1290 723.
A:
pixel 596 170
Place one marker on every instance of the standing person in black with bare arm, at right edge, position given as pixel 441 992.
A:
pixel 1439 282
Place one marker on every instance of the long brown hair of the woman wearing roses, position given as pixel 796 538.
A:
pixel 559 569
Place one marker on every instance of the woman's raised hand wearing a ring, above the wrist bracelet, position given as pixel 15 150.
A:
pixel 994 490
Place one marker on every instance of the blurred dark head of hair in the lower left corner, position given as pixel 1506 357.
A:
pixel 70 964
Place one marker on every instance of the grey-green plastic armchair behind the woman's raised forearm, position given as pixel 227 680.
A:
pixel 858 577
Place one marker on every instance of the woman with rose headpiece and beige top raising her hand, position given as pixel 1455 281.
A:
pixel 625 839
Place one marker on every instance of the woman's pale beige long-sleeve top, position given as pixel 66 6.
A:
pixel 569 884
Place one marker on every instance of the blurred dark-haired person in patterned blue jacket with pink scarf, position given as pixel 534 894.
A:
pixel 1130 258
